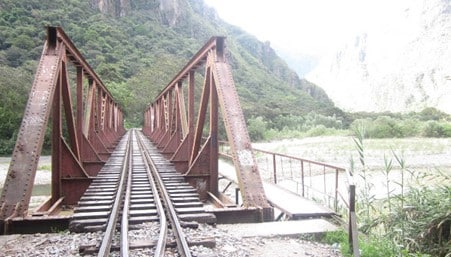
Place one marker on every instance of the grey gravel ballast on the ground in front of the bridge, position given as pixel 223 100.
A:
pixel 227 244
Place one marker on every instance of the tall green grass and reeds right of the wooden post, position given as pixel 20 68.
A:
pixel 415 221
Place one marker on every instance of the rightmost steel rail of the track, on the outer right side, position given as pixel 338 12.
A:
pixel 182 244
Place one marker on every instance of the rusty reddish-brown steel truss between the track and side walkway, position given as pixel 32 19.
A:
pixel 170 122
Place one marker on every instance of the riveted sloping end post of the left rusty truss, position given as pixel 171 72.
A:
pixel 22 170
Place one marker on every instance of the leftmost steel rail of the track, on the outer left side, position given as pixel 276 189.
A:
pixel 105 246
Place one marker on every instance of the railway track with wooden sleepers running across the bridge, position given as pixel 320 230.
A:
pixel 138 185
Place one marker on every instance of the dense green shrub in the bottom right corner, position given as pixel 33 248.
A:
pixel 425 221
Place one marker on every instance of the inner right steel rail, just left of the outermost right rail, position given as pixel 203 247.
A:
pixel 162 239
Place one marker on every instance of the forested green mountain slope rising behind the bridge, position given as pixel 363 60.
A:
pixel 136 47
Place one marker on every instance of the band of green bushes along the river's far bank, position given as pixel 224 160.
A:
pixel 430 122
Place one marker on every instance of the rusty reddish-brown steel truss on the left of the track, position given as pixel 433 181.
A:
pixel 85 124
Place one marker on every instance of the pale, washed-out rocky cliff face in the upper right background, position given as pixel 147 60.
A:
pixel 402 66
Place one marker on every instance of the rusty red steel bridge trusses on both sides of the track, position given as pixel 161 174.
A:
pixel 87 124
